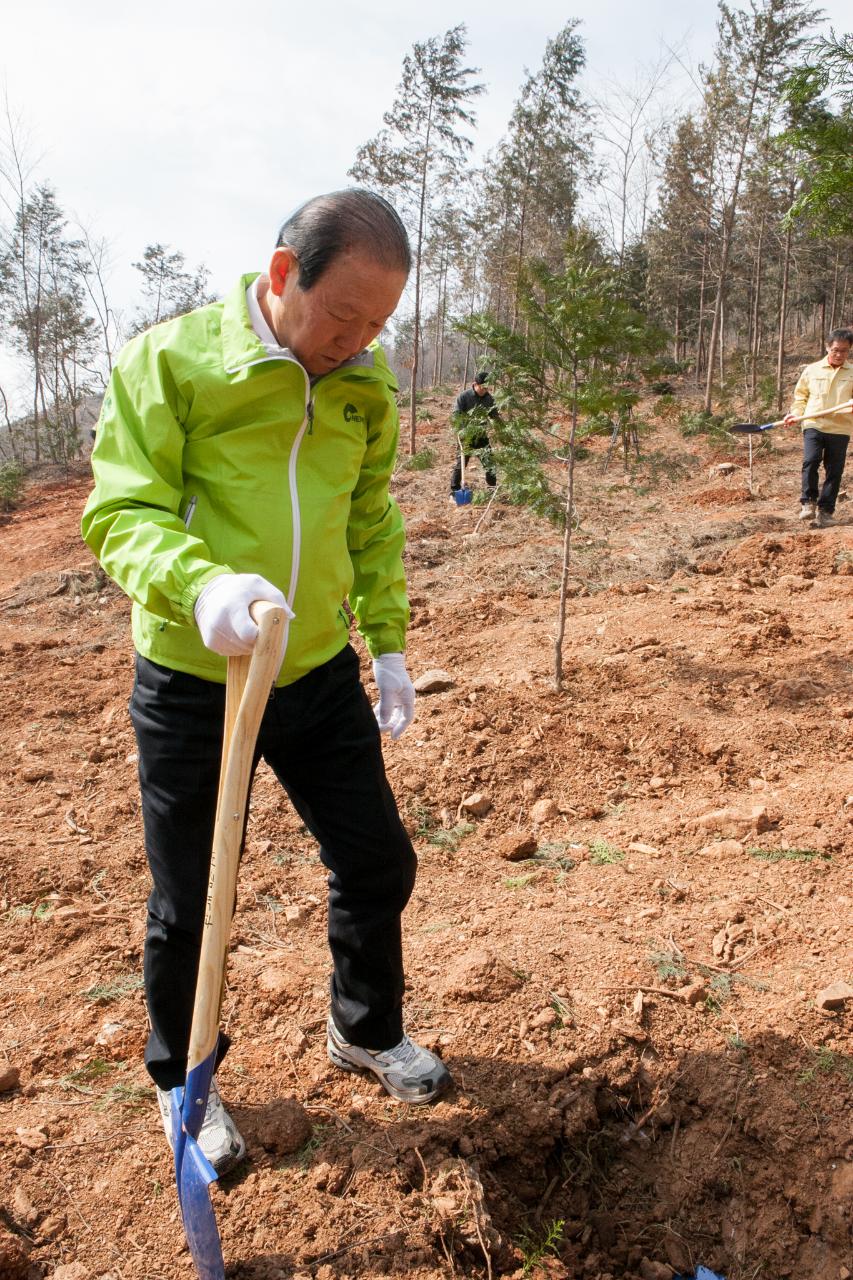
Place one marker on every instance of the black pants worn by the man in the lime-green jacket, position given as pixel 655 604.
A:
pixel 321 738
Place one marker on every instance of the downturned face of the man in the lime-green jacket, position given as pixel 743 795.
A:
pixel 339 317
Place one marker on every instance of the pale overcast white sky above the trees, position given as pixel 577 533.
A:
pixel 200 126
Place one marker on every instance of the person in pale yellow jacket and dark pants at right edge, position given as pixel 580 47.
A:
pixel 822 386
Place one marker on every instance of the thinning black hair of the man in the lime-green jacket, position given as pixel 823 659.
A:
pixel 325 227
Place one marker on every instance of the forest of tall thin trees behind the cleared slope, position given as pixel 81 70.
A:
pixel 722 225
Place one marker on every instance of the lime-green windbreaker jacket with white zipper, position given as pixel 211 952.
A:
pixel 215 456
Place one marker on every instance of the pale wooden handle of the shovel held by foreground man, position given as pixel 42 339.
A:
pixel 248 688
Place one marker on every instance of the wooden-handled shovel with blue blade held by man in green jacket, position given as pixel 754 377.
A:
pixel 247 693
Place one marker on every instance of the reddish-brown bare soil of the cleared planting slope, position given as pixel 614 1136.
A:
pixel 645 1078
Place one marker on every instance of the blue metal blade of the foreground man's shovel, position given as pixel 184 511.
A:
pixel 195 1173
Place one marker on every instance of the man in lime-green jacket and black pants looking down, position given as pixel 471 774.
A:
pixel 244 452
